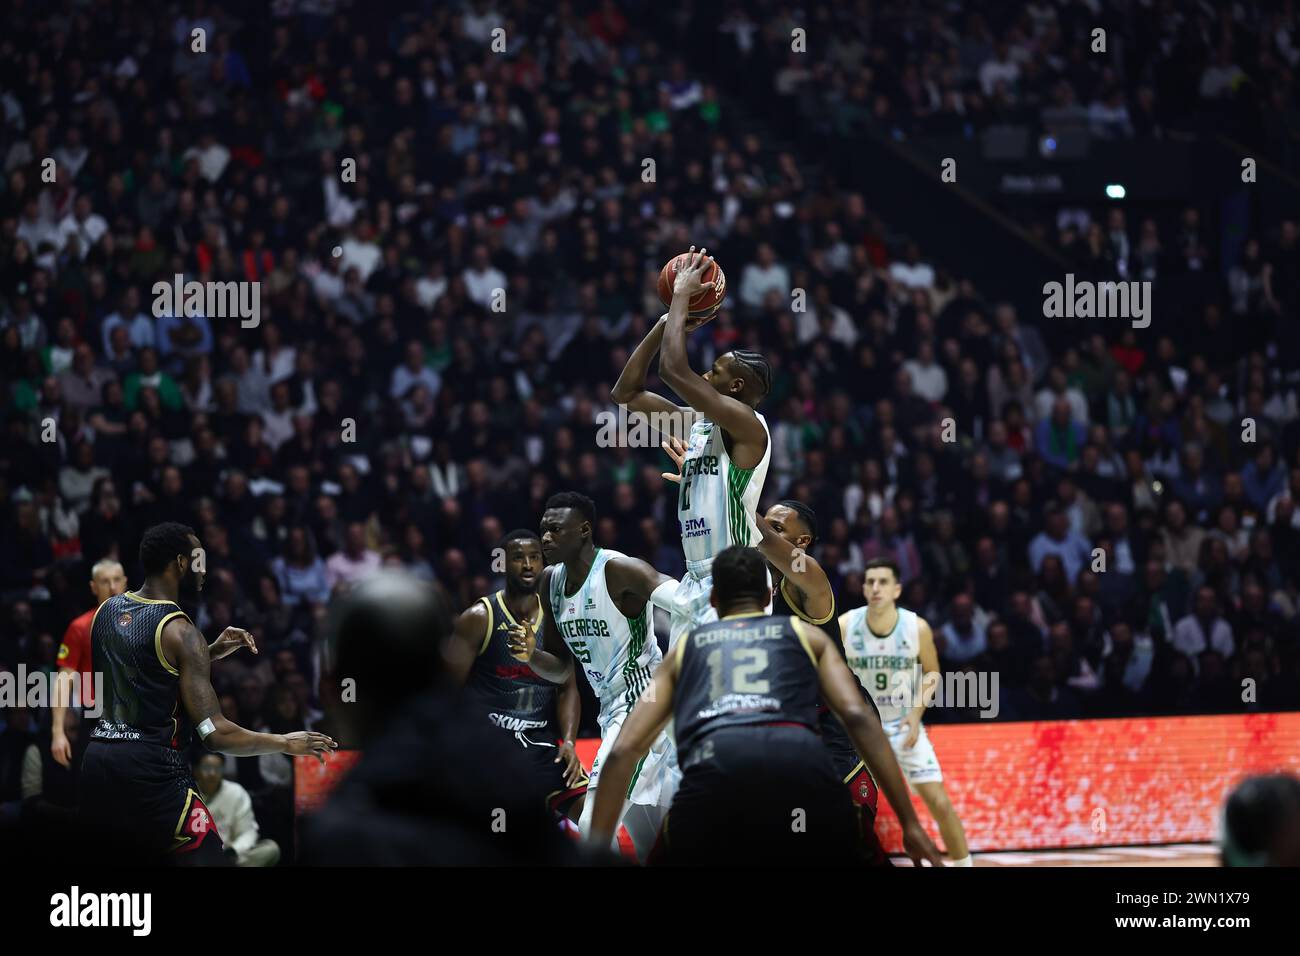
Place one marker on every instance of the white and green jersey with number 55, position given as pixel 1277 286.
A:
pixel 618 654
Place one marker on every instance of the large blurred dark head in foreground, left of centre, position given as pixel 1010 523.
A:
pixel 385 643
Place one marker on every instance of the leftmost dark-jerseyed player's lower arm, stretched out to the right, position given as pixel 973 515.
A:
pixel 184 644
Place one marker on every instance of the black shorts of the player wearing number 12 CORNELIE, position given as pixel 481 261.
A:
pixel 762 795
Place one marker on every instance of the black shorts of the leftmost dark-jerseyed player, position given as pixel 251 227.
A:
pixel 146 794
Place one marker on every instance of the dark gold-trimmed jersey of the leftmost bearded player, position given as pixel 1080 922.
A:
pixel 142 691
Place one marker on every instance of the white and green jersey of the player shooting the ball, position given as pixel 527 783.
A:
pixel 716 500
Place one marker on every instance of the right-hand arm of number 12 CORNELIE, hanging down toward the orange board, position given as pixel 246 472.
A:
pixel 846 702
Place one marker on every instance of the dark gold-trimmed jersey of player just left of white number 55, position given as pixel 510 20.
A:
pixel 514 697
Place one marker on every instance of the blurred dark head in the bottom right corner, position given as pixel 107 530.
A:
pixel 1262 823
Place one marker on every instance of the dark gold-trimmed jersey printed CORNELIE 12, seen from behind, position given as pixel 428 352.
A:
pixel 739 672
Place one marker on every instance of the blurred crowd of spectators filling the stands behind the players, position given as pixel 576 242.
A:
pixel 439 339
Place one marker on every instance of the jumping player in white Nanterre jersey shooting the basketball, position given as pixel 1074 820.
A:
pixel 729 447
